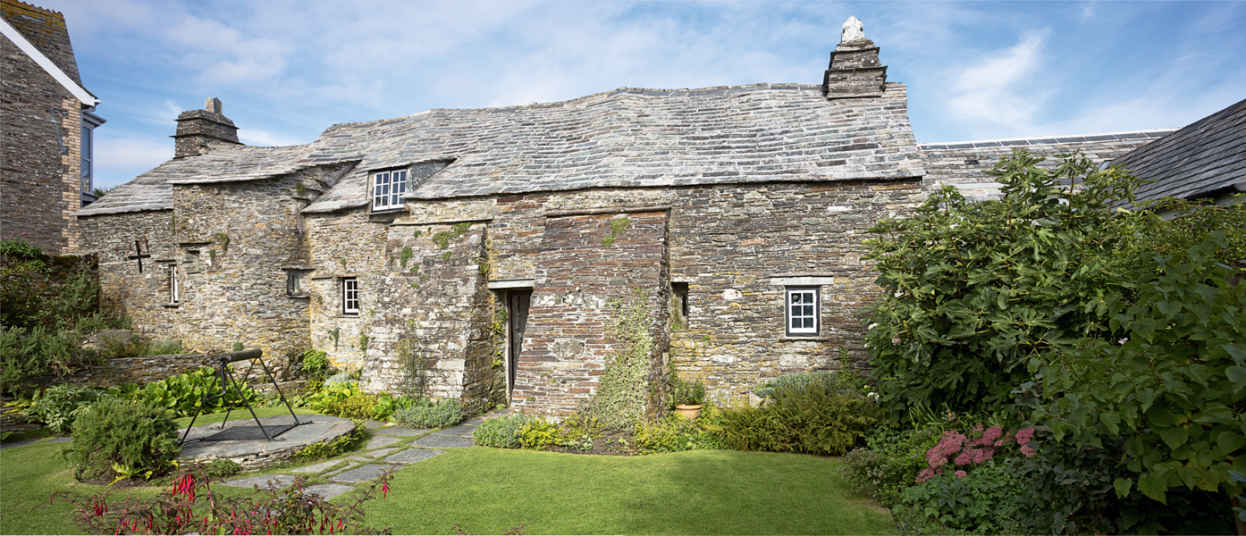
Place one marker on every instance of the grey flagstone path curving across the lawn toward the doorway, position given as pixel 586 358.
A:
pixel 391 448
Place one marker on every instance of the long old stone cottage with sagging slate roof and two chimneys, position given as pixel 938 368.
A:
pixel 484 255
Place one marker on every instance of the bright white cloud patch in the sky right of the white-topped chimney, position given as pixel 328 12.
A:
pixel 999 89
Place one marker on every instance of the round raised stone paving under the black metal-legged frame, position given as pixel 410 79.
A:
pixel 244 443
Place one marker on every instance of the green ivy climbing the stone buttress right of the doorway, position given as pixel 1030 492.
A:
pixel 621 396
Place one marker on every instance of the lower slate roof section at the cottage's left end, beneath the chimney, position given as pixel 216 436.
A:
pixel 154 190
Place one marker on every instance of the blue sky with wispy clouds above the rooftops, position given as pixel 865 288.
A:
pixel 287 70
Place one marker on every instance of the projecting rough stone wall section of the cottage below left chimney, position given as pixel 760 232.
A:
pixel 235 241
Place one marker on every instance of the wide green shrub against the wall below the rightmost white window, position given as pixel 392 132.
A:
pixel 829 418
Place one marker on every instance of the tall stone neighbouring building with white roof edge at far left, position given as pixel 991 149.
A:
pixel 47 130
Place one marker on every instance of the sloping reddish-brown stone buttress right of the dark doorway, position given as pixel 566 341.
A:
pixel 591 265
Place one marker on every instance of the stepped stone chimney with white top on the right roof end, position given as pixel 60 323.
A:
pixel 855 70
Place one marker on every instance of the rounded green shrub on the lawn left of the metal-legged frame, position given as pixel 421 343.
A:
pixel 123 438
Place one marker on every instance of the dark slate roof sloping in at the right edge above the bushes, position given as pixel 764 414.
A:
pixel 1204 158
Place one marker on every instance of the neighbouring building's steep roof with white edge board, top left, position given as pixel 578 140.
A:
pixel 43 36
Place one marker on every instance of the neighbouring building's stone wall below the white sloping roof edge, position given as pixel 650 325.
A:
pixel 40 166
